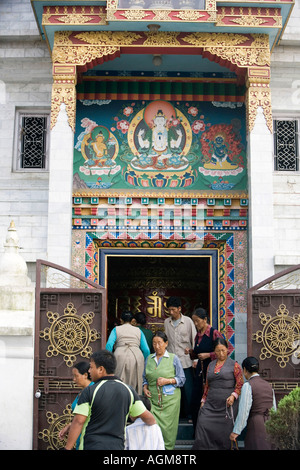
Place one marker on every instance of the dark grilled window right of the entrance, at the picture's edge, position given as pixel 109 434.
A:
pixel 286 144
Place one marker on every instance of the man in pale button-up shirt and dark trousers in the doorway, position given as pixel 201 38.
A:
pixel 181 333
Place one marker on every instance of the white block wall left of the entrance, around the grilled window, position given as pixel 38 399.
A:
pixel 25 82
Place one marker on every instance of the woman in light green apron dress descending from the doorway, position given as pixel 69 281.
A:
pixel 162 379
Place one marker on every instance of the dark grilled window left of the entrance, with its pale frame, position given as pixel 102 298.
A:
pixel 32 141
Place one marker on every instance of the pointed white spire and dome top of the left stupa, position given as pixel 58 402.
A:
pixel 13 268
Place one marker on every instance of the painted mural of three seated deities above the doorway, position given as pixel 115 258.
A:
pixel 160 144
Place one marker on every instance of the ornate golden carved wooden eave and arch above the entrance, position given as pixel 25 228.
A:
pixel 83 35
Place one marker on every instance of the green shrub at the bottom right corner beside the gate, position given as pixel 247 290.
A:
pixel 283 427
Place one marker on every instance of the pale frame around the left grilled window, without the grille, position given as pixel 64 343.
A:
pixel 19 114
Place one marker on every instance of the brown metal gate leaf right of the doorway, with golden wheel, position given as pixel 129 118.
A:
pixel 274 329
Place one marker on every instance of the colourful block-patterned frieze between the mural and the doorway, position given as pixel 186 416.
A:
pixel 150 218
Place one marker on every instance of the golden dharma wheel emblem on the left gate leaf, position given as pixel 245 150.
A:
pixel 69 335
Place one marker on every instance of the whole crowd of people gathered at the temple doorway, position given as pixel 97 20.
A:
pixel 134 392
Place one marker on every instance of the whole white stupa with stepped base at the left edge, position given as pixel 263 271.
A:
pixel 16 345
